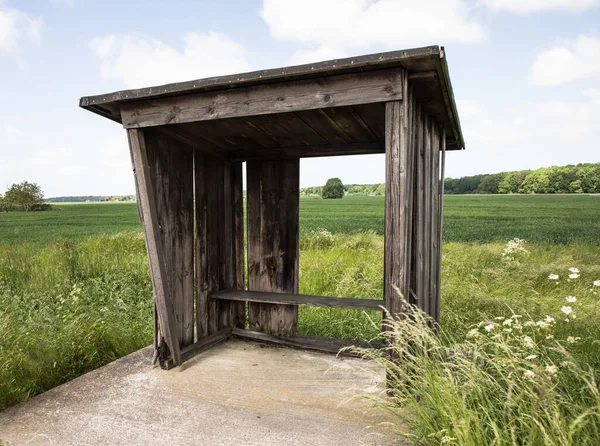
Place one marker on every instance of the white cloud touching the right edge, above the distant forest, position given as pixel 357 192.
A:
pixel 567 62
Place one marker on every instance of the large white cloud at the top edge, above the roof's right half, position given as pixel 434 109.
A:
pixel 329 28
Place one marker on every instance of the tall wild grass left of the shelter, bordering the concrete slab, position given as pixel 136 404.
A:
pixel 68 308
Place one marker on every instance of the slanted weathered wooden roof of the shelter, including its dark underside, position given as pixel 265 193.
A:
pixel 244 133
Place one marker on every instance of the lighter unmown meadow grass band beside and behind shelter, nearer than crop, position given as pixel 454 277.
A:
pixel 66 308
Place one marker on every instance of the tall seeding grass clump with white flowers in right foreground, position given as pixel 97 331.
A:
pixel 511 382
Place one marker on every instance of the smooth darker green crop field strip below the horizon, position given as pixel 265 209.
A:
pixel 468 218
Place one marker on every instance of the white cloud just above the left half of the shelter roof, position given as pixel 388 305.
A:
pixel 140 61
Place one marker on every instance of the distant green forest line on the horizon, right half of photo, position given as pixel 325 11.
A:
pixel 571 179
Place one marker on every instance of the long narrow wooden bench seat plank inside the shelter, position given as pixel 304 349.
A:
pixel 298 299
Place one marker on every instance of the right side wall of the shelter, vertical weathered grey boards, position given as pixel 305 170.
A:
pixel 412 257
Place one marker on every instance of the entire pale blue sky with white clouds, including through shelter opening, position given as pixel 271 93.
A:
pixel 526 75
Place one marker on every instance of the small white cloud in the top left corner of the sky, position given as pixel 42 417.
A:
pixel 17 28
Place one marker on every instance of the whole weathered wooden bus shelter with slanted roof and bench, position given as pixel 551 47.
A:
pixel 188 142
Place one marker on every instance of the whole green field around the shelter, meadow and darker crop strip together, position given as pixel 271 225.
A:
pixel 75 291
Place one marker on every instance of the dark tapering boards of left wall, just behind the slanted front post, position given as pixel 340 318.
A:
pixel 171 172
